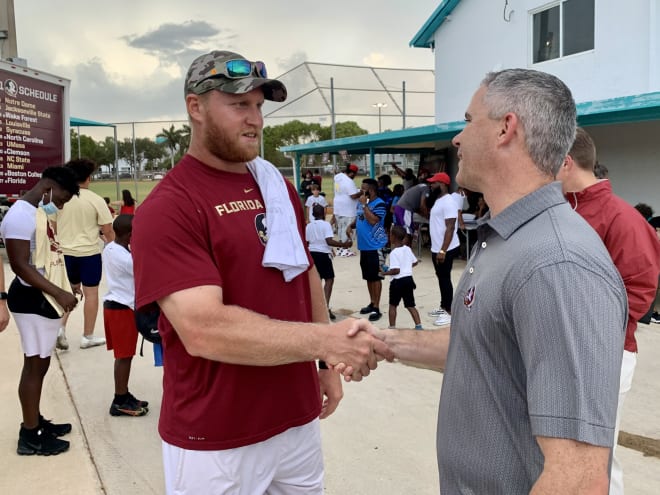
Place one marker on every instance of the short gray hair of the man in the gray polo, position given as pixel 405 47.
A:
pixel 546 110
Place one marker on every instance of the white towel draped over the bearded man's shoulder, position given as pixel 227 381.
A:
pixel 284 249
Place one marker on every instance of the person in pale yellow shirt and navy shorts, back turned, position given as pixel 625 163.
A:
pixel 78 225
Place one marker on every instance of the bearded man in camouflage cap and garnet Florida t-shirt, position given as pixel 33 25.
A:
pixel 241 392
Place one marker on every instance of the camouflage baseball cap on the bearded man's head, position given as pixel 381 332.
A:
pixel 209 72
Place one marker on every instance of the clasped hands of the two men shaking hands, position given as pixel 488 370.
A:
pixel 356 349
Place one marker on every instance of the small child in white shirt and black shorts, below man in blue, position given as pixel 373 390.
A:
pixel 402 286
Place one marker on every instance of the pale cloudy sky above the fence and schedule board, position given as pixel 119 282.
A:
pixel 126 59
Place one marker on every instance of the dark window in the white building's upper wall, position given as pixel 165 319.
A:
pixel 562 29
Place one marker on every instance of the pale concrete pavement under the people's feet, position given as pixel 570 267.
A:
pixel 381 440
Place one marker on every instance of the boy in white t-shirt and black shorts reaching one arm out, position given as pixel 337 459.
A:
pixel 319 236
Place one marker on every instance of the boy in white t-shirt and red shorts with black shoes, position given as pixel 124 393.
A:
pixel 118 316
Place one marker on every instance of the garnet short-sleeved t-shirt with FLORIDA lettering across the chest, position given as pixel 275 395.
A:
pixel 201 226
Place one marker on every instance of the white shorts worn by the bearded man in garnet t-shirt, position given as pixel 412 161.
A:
pixel 290 463
